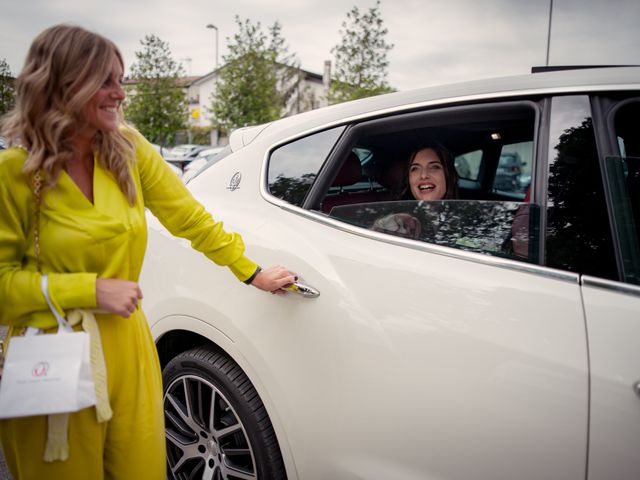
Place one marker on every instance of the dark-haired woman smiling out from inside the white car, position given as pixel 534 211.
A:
pixel 430 175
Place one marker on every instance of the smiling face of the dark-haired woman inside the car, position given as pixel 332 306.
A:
pixel 427 179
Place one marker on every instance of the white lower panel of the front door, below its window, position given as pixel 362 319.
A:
pixel 613 324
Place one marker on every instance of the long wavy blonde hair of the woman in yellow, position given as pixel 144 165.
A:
pixel 65 67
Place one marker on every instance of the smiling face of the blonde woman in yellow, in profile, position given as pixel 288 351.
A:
pixel 101 111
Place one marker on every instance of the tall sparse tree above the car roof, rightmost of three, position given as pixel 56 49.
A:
pixel 360 64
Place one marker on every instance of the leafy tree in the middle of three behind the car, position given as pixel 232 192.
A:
pixel 258 80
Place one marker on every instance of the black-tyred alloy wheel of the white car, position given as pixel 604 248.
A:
pixel 216 425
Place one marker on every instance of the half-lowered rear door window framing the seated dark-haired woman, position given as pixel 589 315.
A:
pixel 374 193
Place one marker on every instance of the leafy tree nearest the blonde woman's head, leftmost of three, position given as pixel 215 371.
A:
pixel 157 104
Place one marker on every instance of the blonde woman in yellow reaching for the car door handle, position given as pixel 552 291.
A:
pixel 98 176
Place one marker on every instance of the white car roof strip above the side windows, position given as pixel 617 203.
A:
pixel 566 81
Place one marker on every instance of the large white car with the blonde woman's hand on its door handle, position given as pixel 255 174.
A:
pixel 500 343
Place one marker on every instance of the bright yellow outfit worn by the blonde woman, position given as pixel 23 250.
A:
pixel 79 242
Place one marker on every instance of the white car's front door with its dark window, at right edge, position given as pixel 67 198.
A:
pixel 613 307
